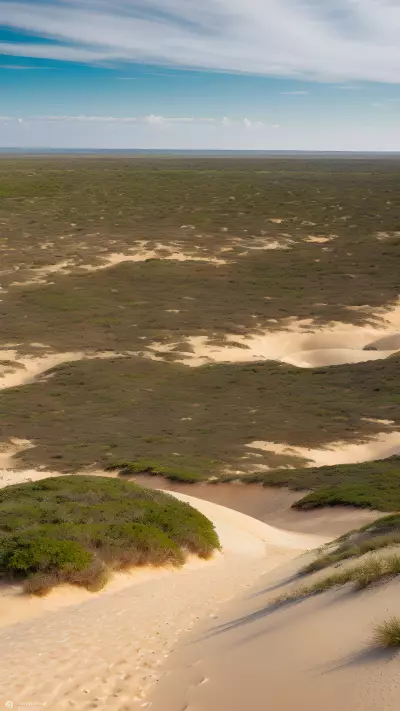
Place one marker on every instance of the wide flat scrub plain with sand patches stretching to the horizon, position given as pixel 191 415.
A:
pixel 175 298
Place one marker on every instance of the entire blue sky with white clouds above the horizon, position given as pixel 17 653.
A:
pixel 215 74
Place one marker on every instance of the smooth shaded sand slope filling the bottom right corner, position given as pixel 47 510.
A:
pixel 312 655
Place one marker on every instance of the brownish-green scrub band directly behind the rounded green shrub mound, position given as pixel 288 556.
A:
pixel 200 420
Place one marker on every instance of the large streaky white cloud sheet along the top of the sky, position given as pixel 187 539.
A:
pixel 334 40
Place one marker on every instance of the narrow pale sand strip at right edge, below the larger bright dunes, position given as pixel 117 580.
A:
pixel 380 446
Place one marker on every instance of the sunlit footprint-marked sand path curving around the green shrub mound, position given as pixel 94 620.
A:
pixel 106 652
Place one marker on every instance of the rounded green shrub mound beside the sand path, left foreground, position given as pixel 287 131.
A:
pixel 78 529
